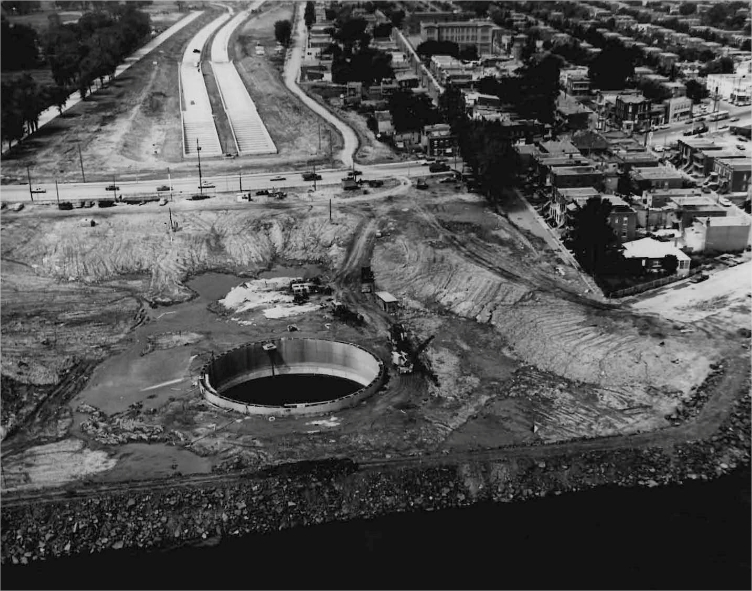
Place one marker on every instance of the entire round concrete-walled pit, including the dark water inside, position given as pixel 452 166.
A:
pixel 291 376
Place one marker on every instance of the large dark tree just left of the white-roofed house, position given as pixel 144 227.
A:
pixel 591 237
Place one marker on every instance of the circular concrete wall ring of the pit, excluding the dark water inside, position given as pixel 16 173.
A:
pixel 292 356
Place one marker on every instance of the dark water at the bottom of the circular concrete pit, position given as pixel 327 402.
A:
pixel 291 389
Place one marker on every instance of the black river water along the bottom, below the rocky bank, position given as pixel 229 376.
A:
pixel 694 536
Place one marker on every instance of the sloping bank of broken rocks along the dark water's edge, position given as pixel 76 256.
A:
pixel 339 490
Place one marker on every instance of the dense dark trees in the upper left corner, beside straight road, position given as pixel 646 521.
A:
pixel 77 54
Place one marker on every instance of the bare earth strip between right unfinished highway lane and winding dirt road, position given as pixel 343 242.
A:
pixel 293 127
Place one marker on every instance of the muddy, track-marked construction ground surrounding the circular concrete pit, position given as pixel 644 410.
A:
pixel 519 356
